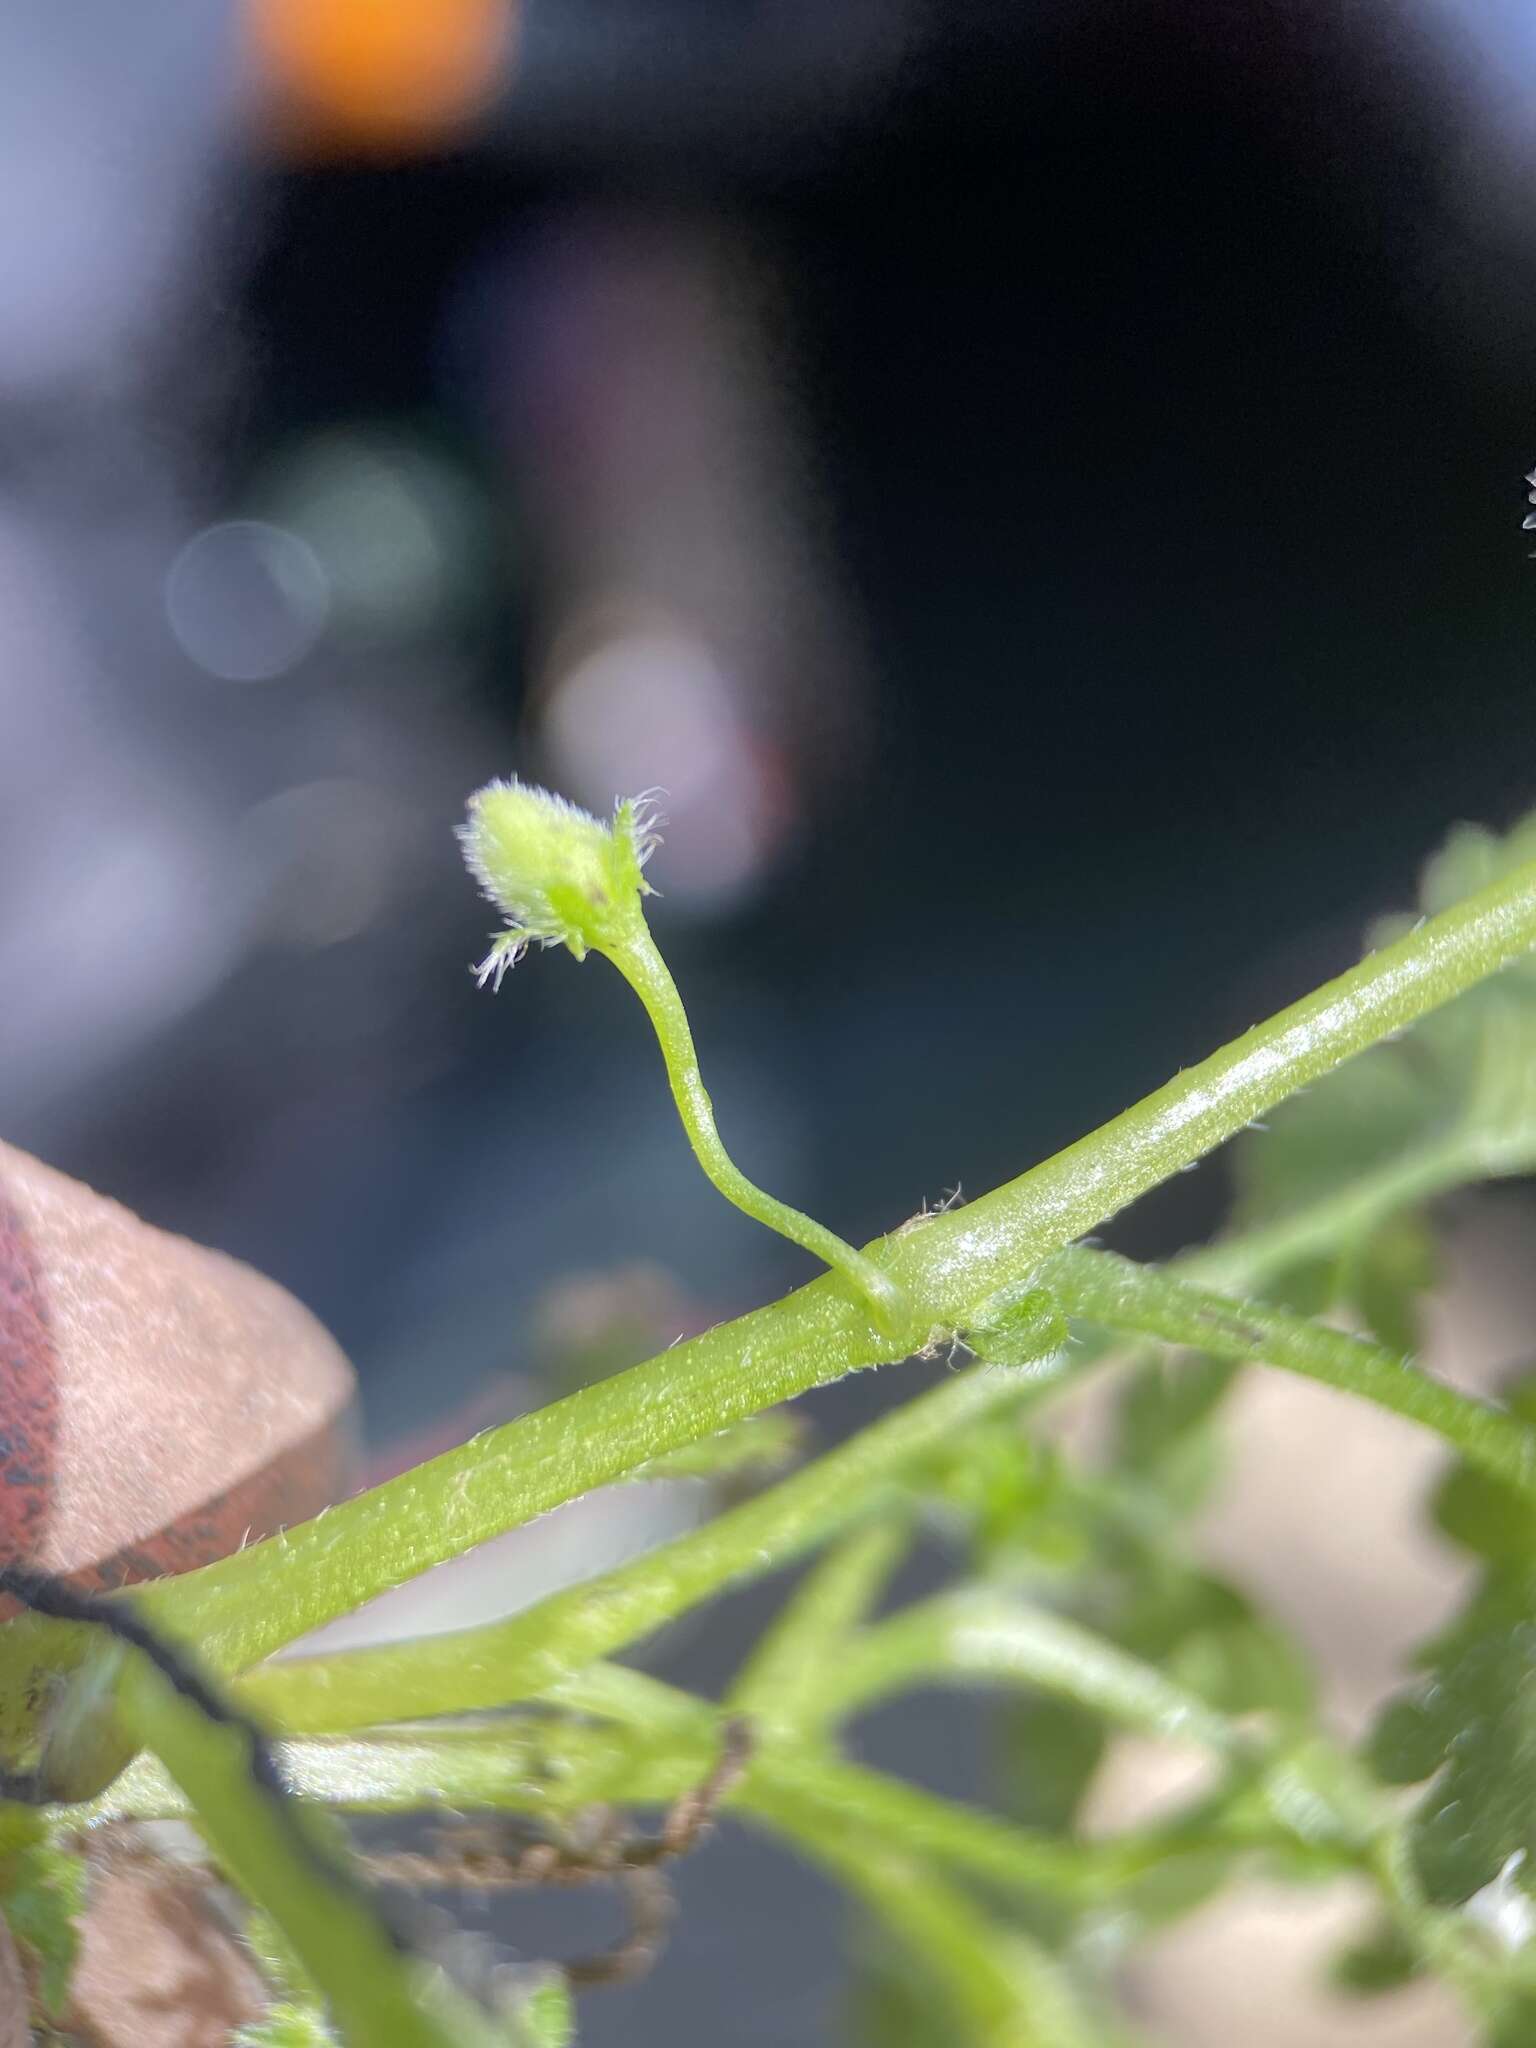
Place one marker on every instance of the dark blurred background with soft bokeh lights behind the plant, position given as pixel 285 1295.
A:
pixel 1039 488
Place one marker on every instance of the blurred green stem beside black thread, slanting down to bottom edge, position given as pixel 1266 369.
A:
pixel 273 1852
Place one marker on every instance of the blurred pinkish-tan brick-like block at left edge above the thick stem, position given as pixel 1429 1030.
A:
pixel 159 1402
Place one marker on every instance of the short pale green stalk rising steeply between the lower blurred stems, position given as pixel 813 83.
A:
pixel 777 1684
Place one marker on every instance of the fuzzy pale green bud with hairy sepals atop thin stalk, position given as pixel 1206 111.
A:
pixel 558 876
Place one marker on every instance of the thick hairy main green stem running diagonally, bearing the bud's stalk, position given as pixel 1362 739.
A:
pixel 251 1605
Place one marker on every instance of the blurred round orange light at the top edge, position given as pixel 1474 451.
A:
pixel 345 77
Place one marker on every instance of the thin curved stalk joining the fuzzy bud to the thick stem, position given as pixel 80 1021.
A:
pixel 650 978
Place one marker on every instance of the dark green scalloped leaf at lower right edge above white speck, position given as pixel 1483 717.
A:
pixel 1471 1725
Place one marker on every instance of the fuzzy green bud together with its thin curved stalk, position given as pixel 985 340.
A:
pixel 562 878
